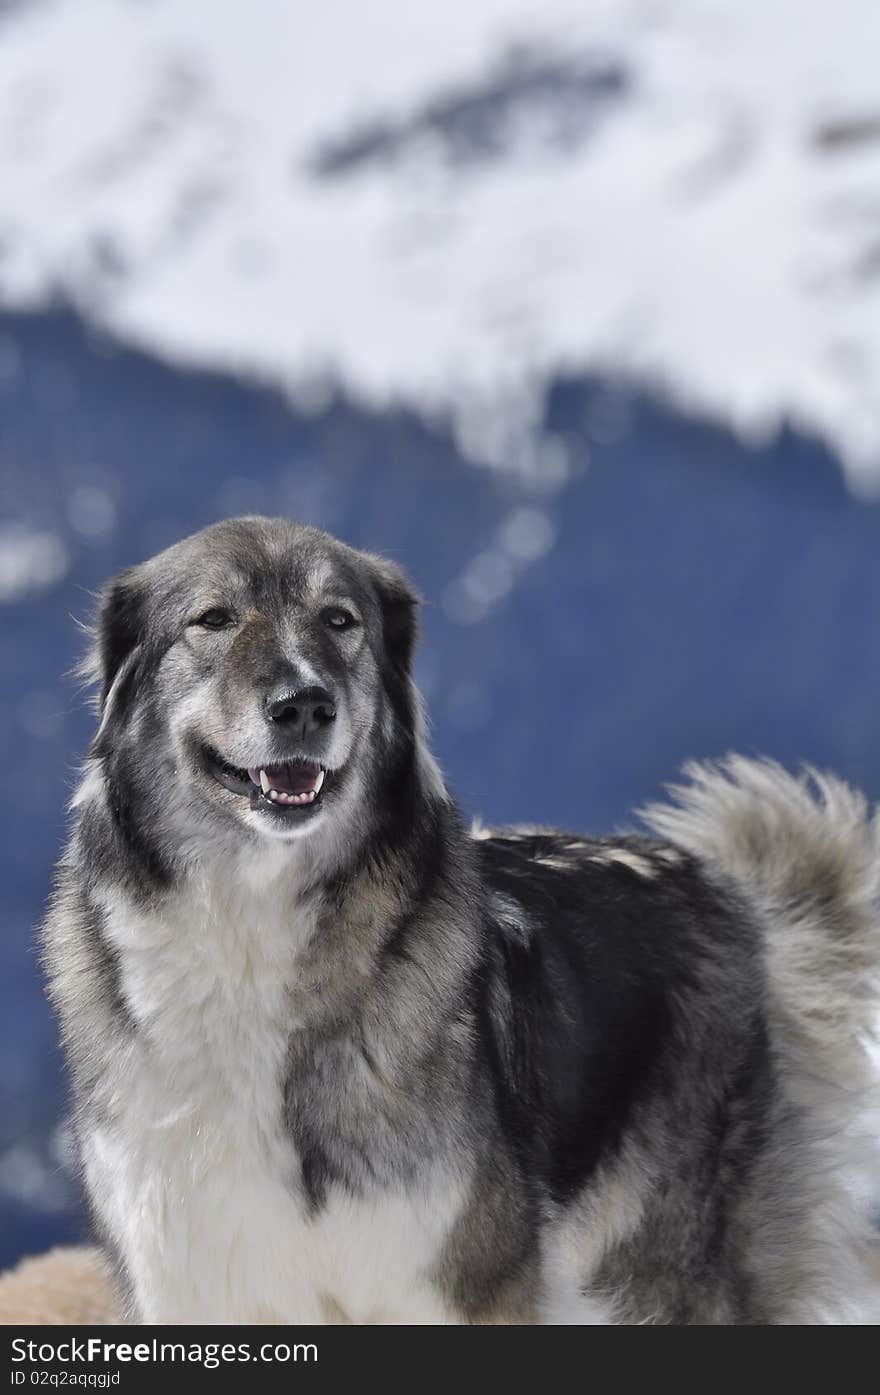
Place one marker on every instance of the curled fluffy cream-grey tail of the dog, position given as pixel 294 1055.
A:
pixel 808 852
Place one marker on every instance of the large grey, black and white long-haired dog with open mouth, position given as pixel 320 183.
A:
pixel 338 1058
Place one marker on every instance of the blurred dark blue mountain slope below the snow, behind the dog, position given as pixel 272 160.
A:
pixel 699 598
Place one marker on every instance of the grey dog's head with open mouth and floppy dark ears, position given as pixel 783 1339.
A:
pixel 257 676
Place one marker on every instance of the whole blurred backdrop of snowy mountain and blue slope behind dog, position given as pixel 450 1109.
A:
pixel 571 309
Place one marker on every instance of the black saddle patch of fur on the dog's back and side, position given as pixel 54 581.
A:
pixel 578 1018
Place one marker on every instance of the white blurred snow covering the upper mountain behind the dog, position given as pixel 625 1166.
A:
pixel 446 206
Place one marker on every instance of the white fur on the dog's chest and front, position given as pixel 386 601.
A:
pixel 189 1164
